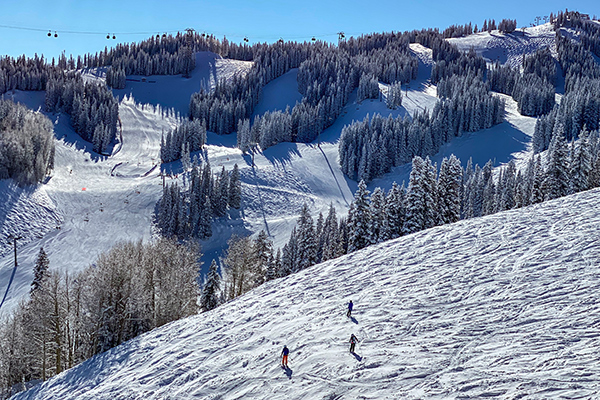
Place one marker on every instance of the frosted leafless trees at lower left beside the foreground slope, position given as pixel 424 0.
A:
pixel 68 318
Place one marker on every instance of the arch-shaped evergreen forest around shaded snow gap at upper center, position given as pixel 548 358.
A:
pixel 327 75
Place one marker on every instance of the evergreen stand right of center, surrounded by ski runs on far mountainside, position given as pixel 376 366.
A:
pixel 370 148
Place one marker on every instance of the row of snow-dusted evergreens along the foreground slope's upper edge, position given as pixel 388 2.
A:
pixel 437 196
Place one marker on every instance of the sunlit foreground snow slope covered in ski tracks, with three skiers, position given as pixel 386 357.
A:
pixel 505 306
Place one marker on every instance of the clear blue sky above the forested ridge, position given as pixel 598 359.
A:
pixel 260 21
